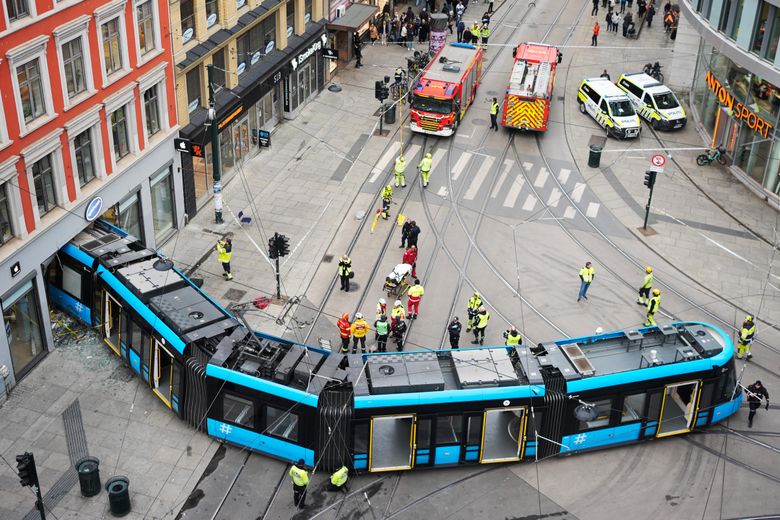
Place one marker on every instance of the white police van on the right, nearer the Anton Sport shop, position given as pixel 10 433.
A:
pixel 653 101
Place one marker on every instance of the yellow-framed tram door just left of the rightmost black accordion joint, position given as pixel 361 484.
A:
pixel 503 434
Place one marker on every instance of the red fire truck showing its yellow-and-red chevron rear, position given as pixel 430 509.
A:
pixel 528 96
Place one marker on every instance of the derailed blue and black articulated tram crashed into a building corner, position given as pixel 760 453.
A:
pixel 393 411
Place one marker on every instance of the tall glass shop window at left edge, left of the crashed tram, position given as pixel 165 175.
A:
pixel 23 327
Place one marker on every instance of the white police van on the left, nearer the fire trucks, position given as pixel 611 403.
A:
pixel 609 106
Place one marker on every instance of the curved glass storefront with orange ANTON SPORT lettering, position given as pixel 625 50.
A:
pixel 750 140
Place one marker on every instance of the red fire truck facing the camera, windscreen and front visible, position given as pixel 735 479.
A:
pixel 445 89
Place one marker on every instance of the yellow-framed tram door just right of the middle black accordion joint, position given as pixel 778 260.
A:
pixel 391 445
